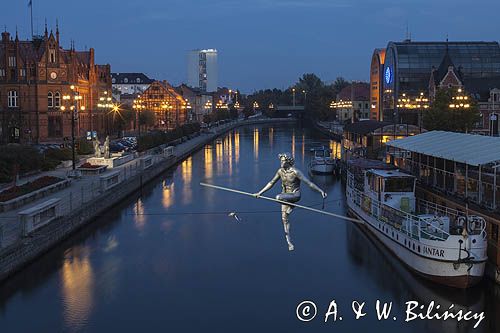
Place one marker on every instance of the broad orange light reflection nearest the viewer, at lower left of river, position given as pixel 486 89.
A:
pixel 77 287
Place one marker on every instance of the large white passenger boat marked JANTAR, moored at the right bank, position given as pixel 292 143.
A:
pixel 440 244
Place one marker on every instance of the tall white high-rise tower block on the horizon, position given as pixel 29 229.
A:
pixel 202 69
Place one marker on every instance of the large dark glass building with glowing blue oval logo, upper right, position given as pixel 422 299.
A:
pixel 408 66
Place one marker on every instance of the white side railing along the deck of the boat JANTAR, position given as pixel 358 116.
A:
pixel 411 225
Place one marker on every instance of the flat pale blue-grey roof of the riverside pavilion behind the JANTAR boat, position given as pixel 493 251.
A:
pixel 459 147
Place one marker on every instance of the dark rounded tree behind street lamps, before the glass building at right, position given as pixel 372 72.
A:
pixel 441 116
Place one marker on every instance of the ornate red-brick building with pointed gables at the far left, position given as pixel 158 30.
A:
pixel 34 76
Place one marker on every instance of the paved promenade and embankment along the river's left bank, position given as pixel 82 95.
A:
pixel 90 196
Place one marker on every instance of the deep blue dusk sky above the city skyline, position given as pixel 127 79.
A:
pixel 261 43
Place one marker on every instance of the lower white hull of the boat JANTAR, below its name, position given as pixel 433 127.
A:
pixel 447 273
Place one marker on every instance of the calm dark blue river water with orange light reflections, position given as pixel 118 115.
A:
pixel 170 259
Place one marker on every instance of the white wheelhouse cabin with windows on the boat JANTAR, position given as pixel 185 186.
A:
pixel 392 188
